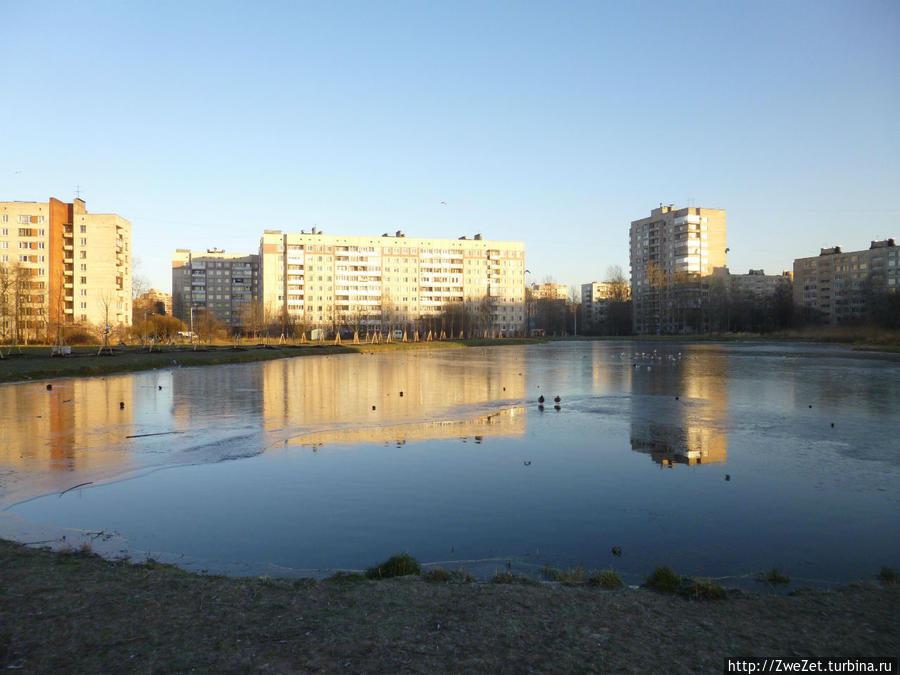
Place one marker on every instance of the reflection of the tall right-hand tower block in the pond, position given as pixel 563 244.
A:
pixel 690 429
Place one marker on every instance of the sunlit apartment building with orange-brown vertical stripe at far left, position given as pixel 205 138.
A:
pixel 63 266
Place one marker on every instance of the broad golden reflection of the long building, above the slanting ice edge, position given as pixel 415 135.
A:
pixel 366 391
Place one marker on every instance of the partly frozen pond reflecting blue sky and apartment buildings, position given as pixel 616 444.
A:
pixel 636 457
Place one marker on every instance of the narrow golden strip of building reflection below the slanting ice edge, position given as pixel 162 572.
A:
pixel 508 422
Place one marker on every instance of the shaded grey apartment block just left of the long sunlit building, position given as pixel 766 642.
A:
pixel 225 284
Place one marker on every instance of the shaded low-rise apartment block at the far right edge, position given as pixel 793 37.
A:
pixel 838 284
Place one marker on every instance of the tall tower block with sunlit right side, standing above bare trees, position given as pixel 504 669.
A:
pixel 672 250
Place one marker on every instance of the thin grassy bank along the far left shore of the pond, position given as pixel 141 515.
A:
pixel 35 363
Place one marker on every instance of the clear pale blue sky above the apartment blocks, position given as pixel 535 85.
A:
pixel 552 123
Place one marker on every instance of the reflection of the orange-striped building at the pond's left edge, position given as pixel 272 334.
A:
pixel 76 425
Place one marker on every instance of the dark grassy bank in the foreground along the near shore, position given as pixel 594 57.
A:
pixel 77 613
